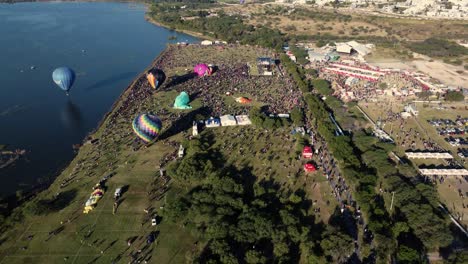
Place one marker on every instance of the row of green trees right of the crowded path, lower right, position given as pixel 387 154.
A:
pixel 416 216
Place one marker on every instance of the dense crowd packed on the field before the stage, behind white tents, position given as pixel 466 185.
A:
pixel 233 79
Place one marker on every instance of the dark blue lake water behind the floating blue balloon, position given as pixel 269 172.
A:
pixel 107 44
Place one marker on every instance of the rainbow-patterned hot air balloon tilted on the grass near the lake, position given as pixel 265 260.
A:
pixel 147 127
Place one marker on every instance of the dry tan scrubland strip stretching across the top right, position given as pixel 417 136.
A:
pixel 344 22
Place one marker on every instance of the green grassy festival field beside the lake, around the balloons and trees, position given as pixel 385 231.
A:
pixel 62 233
